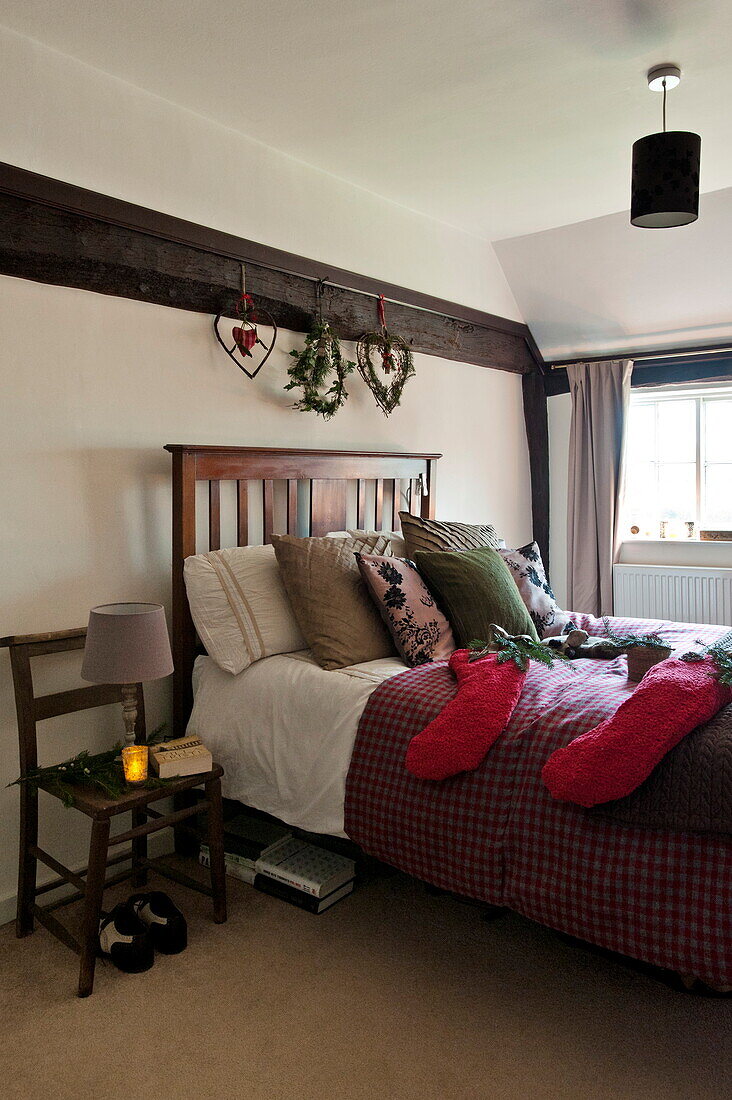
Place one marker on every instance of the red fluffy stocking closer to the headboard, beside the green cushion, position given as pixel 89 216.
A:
pixel 464 731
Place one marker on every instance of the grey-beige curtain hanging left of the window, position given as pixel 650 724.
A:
pixel 600 394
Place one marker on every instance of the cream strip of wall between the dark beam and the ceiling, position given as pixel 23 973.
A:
pixel 68 120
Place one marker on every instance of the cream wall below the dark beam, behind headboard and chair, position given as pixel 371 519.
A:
pixel 93 389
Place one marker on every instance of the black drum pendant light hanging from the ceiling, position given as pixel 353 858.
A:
pixel 665 186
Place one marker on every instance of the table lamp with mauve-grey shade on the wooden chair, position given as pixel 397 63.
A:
pixel 127 644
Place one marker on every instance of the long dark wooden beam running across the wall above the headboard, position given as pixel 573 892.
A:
pixel 56 233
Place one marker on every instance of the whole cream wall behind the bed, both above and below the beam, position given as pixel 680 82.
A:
pixel 93 387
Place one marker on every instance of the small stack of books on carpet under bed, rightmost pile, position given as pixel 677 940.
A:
pixel 304 875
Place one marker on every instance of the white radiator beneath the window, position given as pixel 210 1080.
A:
pixel 680 593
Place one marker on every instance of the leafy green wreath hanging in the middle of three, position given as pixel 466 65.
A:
pixel 313 368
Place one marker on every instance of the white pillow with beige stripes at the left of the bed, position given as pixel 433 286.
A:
pixel 241 608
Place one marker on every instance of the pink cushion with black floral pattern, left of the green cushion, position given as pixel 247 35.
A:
pixel 420 630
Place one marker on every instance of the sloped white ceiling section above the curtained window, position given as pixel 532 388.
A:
pixel 605 287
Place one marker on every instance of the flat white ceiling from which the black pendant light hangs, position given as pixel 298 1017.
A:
pixel 501 118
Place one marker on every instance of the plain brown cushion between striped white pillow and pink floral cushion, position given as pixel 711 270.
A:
pixel 332 603
